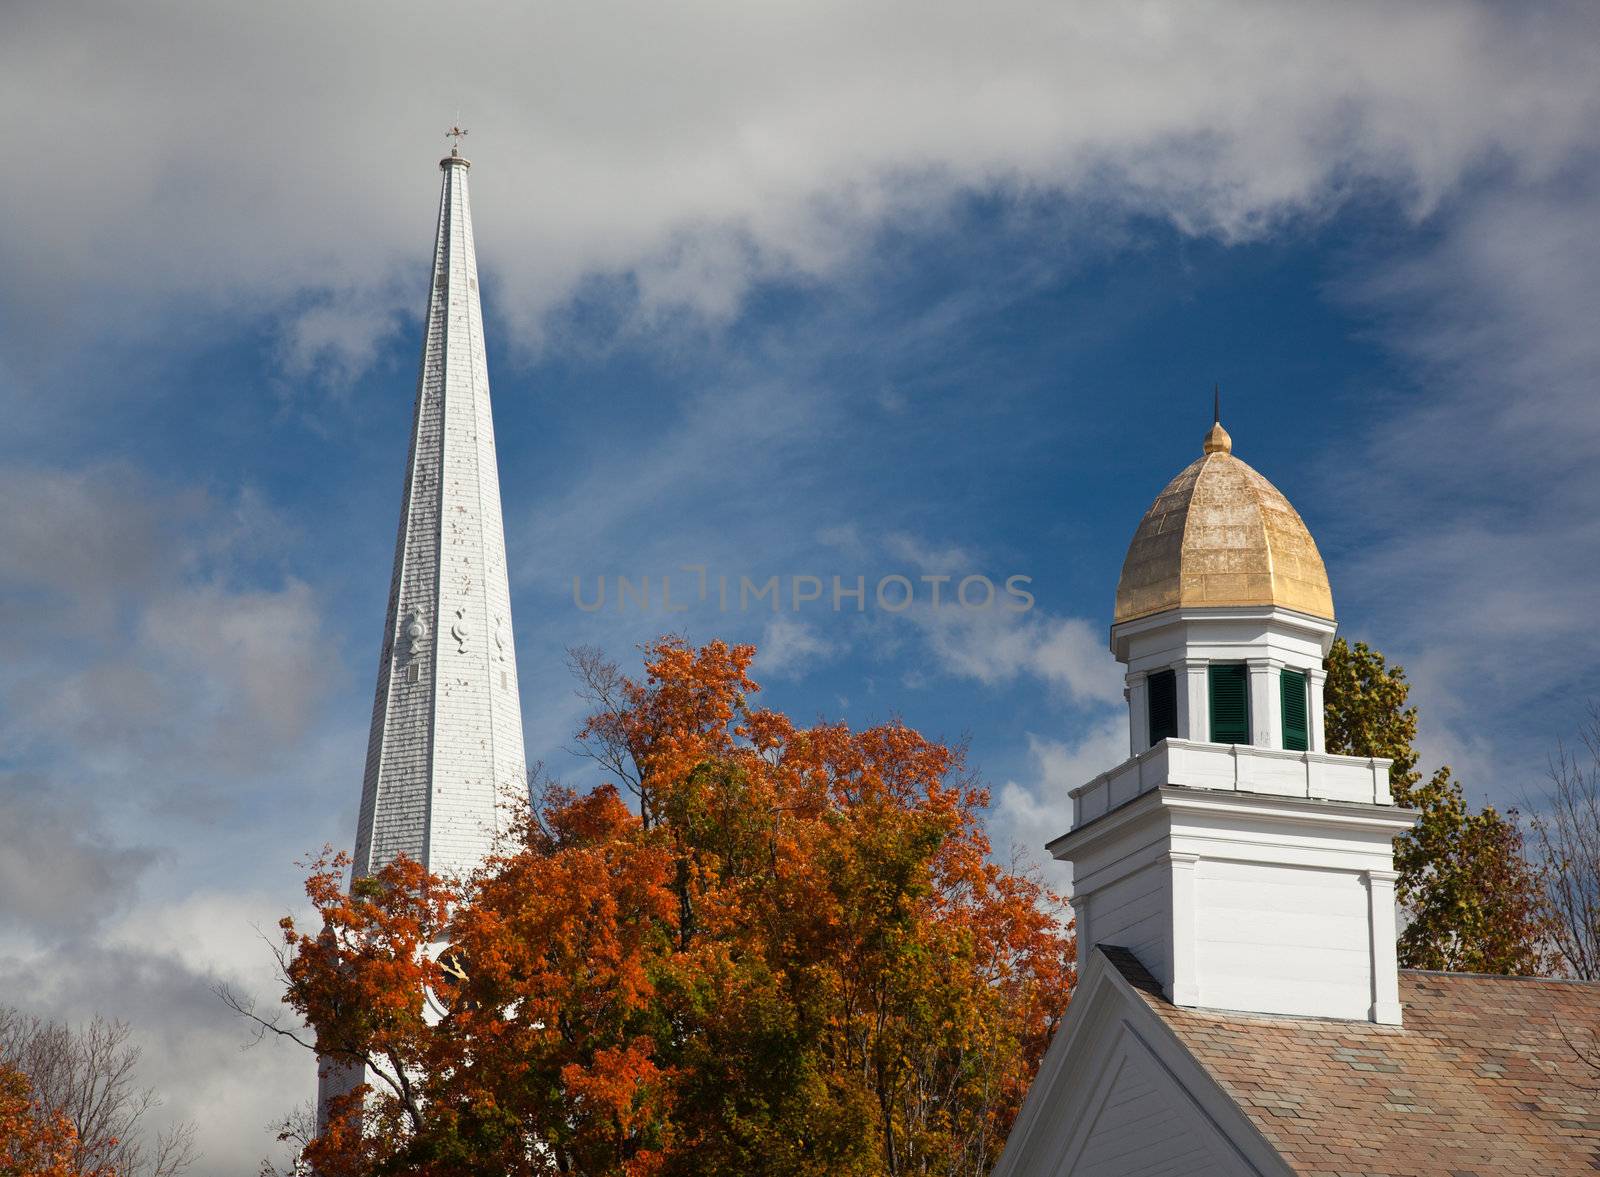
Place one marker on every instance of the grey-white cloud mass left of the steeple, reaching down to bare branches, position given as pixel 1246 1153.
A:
pixel 150 693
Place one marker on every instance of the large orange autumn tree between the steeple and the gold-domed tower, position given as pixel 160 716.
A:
pixel 790 954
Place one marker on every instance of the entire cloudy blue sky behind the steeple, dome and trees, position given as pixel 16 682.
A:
pixel 804 292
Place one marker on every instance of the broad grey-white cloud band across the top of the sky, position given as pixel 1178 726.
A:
pixel 244 154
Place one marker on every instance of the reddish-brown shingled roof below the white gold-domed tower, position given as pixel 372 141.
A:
pixel 1482 1082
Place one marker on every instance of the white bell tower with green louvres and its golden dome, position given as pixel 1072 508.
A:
pixel 1242 864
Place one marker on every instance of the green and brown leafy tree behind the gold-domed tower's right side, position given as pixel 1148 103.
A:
pixel 1473 903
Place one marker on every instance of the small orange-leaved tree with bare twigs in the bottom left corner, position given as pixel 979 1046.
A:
pixel 87 1079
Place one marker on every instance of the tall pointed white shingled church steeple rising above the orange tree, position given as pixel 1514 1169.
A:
pixel 446 740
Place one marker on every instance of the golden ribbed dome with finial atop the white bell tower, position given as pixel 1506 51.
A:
pixel 1222 535
